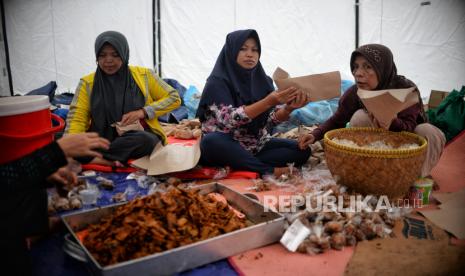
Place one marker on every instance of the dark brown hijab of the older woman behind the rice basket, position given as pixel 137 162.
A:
pixel 381 59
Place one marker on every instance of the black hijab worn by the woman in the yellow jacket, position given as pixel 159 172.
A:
pixel 113 95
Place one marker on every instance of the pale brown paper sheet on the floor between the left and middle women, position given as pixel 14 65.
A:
pixel 173 157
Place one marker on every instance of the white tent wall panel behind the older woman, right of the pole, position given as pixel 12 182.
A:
pixel 428 41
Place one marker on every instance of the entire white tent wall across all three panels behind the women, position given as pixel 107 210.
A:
pixel 53 39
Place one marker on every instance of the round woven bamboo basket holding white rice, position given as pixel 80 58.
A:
pixel 375 171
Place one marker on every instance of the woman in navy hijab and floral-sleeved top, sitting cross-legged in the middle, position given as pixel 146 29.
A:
pixel 237 111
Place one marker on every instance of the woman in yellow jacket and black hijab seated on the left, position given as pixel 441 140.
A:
pixel 123 94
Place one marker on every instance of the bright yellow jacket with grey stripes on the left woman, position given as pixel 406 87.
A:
pixel 160 98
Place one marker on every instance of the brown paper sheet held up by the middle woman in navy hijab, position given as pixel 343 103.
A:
pixel 318 86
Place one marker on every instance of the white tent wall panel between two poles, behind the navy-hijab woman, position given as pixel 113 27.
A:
pixel 302 37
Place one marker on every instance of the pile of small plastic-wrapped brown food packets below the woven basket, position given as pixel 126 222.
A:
pixel 334 229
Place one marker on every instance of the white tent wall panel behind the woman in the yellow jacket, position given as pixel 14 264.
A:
pixel 54 39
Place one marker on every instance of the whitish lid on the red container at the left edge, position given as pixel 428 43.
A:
pixel 23 104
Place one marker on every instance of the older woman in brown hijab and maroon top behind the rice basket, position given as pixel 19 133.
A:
pixel 374 69
